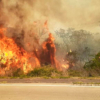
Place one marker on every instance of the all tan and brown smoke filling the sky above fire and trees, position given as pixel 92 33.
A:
pixel 20 16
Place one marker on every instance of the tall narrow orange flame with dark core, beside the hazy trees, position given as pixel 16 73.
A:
pixel 49 50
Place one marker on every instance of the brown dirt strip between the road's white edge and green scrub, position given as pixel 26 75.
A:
pixel 42 80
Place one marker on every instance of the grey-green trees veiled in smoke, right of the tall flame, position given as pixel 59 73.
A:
pixel 77 46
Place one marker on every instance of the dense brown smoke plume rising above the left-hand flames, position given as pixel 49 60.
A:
pixel 19 17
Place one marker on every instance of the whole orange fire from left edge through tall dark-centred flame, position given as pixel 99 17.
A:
pixel 13 56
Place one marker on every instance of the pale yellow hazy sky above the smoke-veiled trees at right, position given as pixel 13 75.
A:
pixel 80 14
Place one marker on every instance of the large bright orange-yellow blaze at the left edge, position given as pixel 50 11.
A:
pixel 13 56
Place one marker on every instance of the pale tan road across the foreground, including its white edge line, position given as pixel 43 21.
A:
pixel 38 91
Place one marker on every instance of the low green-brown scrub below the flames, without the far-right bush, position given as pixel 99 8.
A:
pixel 45 72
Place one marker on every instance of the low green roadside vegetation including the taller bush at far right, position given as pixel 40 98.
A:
pixel 90 70
